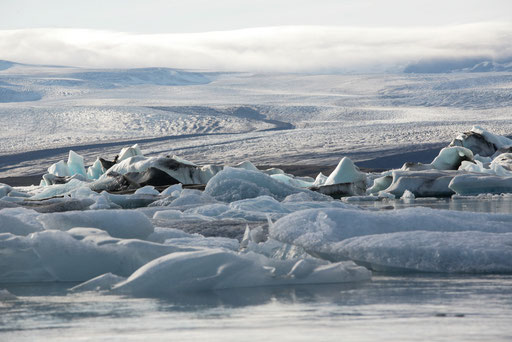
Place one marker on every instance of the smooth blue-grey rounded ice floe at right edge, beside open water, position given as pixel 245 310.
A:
pixel 449 252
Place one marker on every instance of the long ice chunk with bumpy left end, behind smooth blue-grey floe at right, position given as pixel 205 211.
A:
pixel 320 231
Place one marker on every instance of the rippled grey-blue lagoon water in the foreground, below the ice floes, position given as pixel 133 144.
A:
pixel 409 307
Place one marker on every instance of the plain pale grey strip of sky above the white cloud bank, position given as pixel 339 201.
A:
pixel 168 16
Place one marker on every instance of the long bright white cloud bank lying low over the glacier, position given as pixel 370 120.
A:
pixel 268 49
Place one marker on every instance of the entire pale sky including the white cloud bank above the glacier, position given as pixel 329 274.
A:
pixel 257 35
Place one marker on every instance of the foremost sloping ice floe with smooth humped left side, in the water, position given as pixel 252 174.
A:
pixel 213 269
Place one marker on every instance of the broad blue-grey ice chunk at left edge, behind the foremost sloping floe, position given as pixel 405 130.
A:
pixel 77 255
